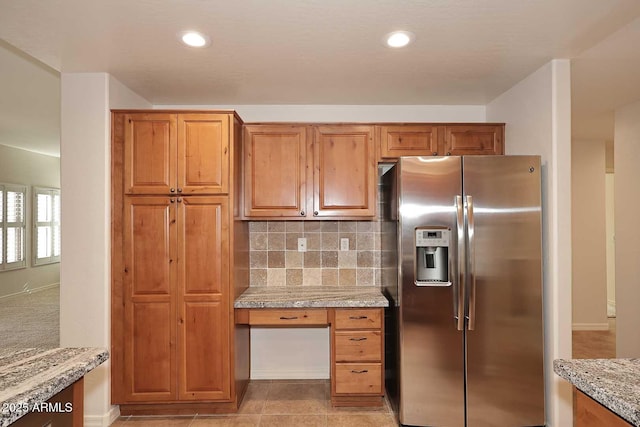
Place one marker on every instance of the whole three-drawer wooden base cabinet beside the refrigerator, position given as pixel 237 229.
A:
pixel 357 357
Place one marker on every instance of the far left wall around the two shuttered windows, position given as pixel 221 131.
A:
pixel 30 169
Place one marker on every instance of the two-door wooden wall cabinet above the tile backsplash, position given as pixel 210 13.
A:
pixel 309 171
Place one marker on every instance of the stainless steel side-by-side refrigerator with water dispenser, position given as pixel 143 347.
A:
pixel 461 265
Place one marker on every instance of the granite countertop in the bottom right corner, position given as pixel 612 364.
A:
pixel 614 383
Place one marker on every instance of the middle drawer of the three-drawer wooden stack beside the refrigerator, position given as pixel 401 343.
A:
pixel 358 346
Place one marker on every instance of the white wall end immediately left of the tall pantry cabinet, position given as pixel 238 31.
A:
pixel 85 268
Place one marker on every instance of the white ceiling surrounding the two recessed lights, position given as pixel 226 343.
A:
pixel 466 52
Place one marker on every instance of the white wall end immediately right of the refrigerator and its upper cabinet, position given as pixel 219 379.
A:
pixel 537 113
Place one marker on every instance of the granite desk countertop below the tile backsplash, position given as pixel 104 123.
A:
pixel 310 297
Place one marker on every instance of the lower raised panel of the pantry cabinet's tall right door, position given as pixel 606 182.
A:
pixel 204 371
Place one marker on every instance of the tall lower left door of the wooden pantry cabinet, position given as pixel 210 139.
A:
pixel 149 299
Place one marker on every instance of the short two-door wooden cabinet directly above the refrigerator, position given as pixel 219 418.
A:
pixel 439 140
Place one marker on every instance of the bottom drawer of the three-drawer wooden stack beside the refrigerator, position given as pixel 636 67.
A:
pixel 358 378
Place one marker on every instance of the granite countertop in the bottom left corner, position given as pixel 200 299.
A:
pixel 29 376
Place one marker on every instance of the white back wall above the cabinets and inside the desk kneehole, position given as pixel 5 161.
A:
pixel 271 349
